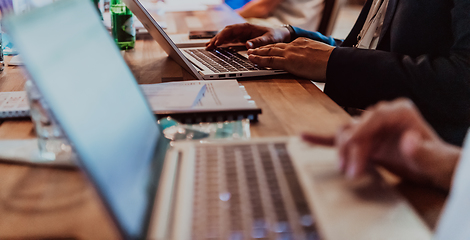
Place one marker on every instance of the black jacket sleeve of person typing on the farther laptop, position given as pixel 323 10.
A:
pixel 437 82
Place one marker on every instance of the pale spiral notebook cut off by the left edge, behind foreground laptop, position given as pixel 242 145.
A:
pixel 13 105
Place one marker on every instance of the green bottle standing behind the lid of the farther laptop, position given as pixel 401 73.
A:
pixel 122 25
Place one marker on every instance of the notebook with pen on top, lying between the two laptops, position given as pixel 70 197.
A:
pixel 222 100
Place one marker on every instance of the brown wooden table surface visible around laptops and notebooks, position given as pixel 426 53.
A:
pixel 40 202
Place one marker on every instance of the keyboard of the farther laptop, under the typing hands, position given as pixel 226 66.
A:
pixel 222 60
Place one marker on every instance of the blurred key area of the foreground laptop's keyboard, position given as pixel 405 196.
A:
pixel 249 192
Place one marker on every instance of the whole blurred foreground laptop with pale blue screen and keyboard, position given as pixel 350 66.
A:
pixel 265 188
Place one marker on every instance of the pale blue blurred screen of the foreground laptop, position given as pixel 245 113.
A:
pixel 94 97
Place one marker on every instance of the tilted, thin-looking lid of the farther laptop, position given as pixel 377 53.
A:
pixel 160 36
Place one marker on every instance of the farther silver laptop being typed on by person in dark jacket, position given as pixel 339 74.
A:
pixel 220 63
